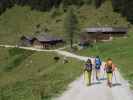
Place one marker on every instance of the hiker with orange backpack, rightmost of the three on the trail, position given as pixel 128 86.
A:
pixel 109 68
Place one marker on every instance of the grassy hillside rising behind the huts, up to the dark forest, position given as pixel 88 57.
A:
pixel 19 21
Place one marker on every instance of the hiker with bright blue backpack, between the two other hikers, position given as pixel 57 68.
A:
pixel 97 66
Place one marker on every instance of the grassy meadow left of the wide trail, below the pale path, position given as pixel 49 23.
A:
pixel 38 77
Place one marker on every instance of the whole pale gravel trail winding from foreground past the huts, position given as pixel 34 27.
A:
pixel 77 90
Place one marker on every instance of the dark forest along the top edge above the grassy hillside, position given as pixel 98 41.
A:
pixel 125 7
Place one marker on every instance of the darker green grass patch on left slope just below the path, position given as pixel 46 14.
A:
pixel 15 58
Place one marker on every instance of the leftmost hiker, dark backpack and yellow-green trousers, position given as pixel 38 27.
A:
pixel 88 72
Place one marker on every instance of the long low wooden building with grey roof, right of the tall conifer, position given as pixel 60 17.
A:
pixel 104 33
